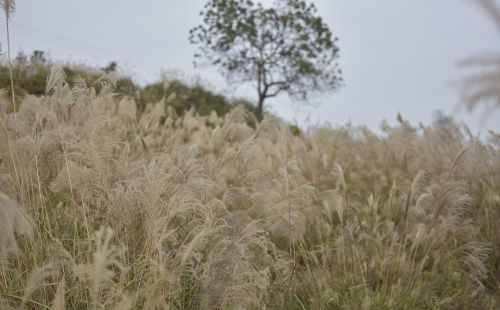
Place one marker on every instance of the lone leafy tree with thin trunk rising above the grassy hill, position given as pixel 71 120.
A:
pixel 286 48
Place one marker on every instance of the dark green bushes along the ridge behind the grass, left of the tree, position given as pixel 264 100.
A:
pixel 30 77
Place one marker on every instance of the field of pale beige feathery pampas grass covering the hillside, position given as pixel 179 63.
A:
pixel 103 207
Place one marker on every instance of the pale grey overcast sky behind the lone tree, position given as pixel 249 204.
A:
pixel 396 56
